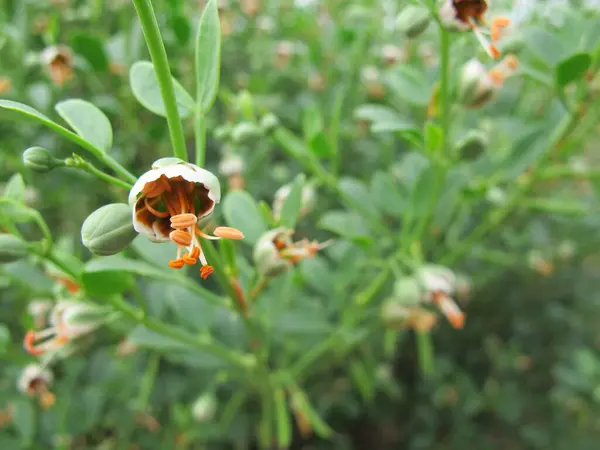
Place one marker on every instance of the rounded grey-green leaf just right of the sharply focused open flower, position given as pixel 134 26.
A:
pixel 241 212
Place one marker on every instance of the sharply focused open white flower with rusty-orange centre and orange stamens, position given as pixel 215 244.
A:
pixel 170 201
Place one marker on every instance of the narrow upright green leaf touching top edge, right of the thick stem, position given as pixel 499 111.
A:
pixel 208 56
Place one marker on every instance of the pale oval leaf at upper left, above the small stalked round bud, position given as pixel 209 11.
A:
pixel 88 122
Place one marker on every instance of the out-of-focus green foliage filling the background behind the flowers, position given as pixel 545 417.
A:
pixel 525 370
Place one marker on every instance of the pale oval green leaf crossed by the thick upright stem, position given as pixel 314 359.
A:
pixel 145 88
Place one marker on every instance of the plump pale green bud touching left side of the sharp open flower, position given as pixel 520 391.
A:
pixel 108 230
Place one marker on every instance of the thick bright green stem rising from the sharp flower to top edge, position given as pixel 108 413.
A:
pixel 158 54
